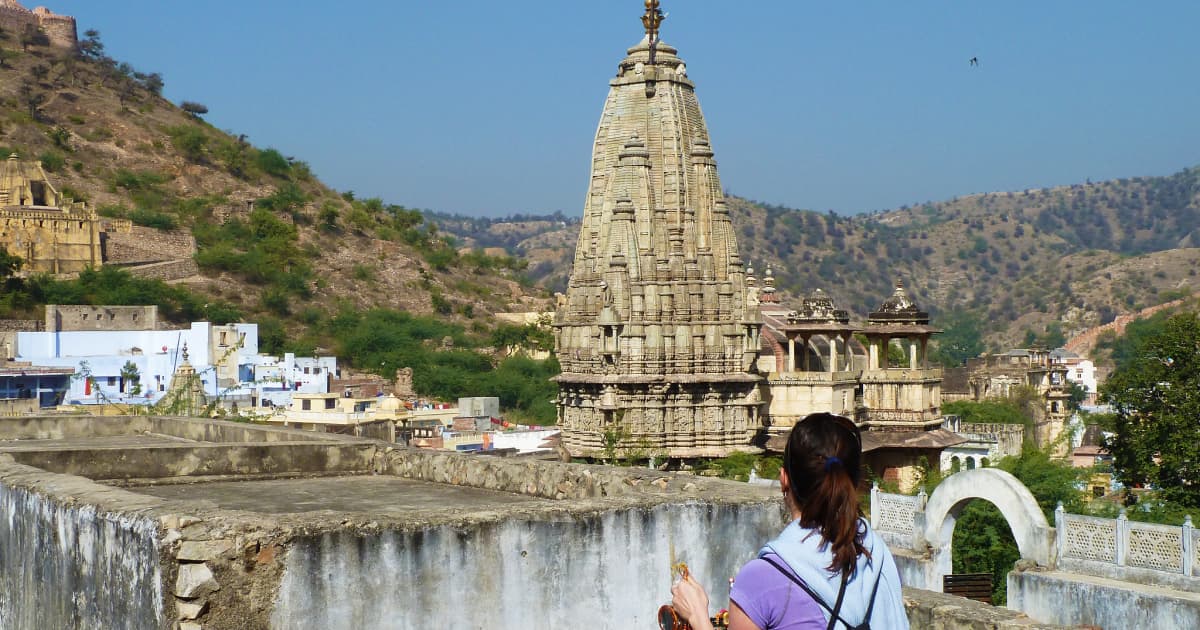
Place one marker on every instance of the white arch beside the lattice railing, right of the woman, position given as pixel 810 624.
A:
pixel 1035 538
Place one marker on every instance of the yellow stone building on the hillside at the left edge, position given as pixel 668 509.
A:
pixel 52 233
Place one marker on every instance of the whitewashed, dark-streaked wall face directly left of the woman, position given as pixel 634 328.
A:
pixel 610 568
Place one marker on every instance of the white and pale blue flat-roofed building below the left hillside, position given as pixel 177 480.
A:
pixel 113 361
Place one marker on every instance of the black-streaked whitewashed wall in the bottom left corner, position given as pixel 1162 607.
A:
pixel 73 565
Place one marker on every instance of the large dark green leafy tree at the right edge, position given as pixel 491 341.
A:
pixel 1156 400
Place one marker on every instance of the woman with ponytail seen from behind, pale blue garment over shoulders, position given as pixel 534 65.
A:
pixel 827 569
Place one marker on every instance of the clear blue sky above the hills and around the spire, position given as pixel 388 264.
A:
pixel 489 107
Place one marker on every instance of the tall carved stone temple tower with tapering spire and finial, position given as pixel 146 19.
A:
pixel 657 334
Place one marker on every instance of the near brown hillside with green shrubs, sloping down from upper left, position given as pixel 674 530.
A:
pixel 272 243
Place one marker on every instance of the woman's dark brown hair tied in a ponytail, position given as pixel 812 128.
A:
pixel 823 460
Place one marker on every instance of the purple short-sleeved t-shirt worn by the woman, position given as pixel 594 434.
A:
pixel 773 602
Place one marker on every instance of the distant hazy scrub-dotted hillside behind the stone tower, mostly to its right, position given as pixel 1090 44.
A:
pixel 1037 263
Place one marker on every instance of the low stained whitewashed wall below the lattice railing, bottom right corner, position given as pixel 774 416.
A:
pixel 1071 598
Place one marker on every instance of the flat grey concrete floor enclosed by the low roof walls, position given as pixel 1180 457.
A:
pixel 377 495
